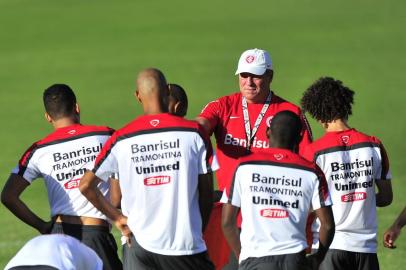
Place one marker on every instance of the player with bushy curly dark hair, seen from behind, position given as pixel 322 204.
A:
pixel 354 164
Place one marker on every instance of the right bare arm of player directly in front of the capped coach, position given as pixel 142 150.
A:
pixel 326 233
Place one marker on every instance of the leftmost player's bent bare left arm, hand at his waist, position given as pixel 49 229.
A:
pixel 10 197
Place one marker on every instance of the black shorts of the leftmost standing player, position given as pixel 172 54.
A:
pixel 97 238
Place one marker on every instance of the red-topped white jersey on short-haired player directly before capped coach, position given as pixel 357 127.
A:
pixel 275 190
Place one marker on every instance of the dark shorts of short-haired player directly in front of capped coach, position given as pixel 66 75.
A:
pixel 295 261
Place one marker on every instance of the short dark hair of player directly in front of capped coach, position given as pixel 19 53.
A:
pixel 285 129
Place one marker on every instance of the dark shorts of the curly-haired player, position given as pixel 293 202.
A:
pixel 340 259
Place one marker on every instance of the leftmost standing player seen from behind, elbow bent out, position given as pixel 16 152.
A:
pixel 61 158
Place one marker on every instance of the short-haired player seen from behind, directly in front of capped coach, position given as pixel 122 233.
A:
pixel 275 190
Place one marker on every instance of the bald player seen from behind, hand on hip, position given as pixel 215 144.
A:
pixel 163 163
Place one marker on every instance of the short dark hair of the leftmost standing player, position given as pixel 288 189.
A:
pixel 59 101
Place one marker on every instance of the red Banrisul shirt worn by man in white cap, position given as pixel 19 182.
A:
pixel 226 116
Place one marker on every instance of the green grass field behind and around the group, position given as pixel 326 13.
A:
pixel 97 47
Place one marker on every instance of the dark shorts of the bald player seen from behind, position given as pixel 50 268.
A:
pixel 136 257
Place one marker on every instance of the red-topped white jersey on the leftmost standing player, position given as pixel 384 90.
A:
pixel 61 159
